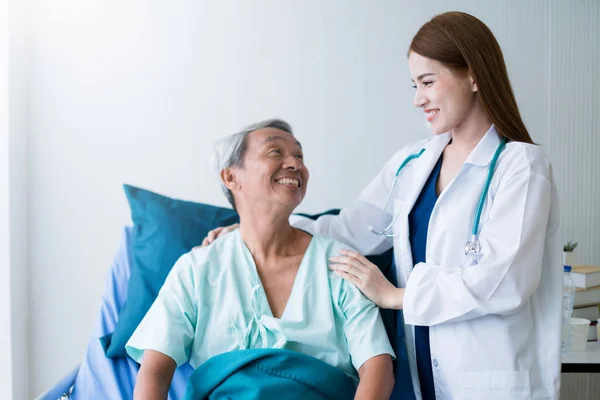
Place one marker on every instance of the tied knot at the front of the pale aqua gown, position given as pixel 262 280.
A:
pixel 256 331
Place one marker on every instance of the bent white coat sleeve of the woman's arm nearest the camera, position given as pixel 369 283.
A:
pixel 509 270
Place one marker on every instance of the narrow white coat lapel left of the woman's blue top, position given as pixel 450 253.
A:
pixel 422 169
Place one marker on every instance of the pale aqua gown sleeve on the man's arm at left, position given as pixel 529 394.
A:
pixel 169 325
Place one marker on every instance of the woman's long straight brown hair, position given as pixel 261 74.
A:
pixel 463 43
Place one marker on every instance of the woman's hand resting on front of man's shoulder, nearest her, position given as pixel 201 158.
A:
pixel 366 276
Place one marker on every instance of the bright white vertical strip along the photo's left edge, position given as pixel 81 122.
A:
pixel 13 204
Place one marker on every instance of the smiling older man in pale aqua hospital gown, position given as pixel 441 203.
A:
pixel 266 285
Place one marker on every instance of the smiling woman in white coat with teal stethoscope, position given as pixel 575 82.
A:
pixel 472 215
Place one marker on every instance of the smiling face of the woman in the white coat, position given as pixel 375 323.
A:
pixel 447 98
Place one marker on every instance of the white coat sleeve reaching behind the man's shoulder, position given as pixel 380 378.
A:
pixel 352 224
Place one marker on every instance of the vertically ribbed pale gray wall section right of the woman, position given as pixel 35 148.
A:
pixel 572 120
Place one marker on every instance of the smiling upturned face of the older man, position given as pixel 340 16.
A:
pixel 273 171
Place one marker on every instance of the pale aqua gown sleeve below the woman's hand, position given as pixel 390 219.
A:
pixel 363 326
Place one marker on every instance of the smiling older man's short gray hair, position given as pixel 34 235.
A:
pixel 229 151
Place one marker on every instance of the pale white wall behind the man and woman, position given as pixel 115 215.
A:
pixel 137 92
